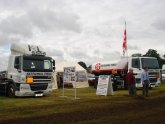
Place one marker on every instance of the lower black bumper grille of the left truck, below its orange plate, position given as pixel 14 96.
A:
pixel 38 86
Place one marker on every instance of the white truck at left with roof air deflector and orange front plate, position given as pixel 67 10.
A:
pixel 29 72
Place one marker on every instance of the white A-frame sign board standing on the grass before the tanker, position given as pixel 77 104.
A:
pixel 104 86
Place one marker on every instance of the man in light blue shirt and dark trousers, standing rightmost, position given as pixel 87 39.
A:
pixel 145 81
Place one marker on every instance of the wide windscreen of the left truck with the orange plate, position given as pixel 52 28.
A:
pixel 37 64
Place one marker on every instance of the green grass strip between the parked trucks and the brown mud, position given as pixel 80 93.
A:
pixel 15 108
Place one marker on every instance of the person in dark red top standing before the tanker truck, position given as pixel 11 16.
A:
pixel 131 82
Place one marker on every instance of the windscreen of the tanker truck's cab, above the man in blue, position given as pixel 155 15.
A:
pixel 151 63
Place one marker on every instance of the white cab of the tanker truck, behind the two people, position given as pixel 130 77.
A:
pixel 138 63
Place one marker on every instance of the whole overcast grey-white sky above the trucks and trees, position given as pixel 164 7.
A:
pixel 82 30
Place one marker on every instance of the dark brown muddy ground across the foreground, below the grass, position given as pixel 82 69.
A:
pixel 140 111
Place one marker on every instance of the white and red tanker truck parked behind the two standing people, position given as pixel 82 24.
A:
pixel 119 69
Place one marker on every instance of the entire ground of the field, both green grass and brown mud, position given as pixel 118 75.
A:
pixel 116 109
